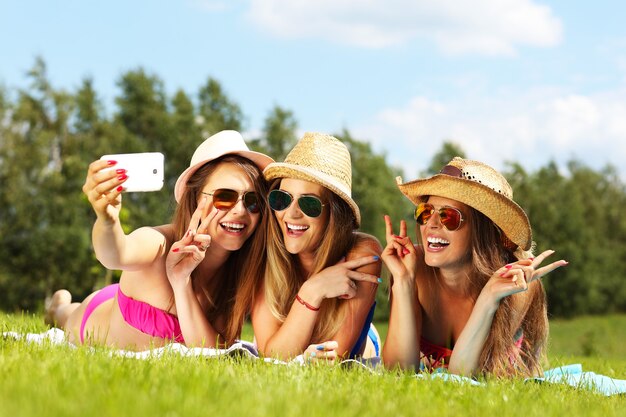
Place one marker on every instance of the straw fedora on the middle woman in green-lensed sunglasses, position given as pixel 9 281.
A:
pixel 321 159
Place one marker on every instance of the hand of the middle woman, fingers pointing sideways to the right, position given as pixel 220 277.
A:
pixel 339 280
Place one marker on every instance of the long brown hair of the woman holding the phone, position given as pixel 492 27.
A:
pixel 231 297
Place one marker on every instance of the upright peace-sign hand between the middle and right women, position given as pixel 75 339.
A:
pixel 399 255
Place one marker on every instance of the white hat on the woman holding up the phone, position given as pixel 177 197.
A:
pixel 220 144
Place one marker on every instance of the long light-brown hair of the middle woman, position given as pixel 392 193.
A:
pixel 284 275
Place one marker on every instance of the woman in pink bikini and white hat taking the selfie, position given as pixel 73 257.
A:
pixel 178 280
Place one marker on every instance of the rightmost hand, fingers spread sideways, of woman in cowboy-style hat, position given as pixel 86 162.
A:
pixel 515 277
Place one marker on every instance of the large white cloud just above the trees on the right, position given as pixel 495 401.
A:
pixel 531 128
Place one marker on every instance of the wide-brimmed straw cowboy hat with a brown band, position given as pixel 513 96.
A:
pixel 480 187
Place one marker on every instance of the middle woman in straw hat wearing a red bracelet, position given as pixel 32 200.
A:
pixel 317 295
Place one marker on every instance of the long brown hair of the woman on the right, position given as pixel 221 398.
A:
pixel 490 250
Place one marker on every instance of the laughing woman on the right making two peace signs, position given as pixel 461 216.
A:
pixel 469 296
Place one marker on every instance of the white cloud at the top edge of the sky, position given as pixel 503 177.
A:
pixel 491 27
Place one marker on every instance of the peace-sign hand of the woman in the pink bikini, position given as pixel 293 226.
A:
pixel 186 254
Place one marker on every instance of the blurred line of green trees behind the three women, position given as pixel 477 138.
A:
pixel 48 136
